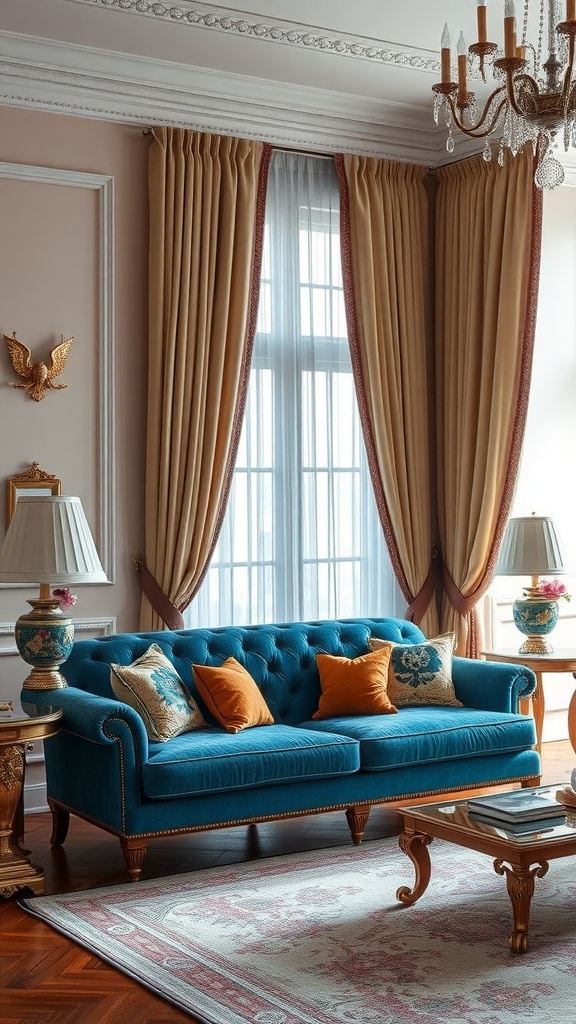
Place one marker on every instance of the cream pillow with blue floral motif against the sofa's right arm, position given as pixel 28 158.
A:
pixel 422 674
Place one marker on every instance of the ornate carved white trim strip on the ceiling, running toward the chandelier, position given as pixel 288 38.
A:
pixel 290 33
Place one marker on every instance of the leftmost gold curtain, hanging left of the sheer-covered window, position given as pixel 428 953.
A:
pixel 207 222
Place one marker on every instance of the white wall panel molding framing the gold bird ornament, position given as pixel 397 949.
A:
pixel 104 186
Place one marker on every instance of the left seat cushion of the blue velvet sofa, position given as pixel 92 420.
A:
pixel 213 760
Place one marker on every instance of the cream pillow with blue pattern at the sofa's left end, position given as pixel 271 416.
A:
pixel 152 687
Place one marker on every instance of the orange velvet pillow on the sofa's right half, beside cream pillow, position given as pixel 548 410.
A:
pixel 354 686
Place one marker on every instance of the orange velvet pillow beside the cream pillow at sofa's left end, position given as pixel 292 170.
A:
pixel 232 696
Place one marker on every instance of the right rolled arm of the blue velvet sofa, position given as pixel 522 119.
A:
pixel 491 686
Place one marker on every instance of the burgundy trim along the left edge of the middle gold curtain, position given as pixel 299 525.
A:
pixel 352 321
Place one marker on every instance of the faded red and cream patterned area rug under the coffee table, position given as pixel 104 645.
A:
pixel 319 938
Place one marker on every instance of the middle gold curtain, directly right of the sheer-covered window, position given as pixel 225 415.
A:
pixel 386 268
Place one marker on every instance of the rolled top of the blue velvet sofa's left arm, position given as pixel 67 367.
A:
pixel 99 720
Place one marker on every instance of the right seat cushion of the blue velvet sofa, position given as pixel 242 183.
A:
pixel 421 736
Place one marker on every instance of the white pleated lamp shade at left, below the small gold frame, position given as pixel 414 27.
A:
pixel 50 542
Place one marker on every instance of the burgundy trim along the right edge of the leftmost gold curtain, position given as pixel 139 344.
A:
pixel 248 360
